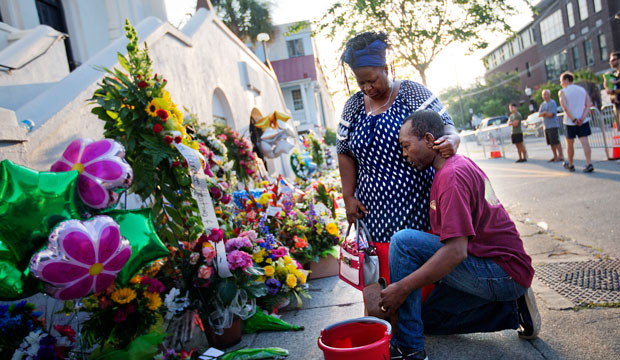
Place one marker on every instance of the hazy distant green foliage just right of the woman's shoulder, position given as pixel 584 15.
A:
pixel 488 98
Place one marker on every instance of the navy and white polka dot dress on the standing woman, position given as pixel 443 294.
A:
pixel 394 193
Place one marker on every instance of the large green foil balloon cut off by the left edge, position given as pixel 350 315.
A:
pixel 32 203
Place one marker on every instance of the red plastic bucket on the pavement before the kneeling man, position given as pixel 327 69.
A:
pixel 365 338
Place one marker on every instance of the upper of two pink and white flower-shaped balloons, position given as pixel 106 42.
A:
pixel 102 169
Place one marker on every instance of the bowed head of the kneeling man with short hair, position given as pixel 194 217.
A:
pixel 417 137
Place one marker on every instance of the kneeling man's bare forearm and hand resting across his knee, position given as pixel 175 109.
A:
pixel 439 265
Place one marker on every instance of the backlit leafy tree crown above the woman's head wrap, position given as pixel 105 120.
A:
pixel 420 29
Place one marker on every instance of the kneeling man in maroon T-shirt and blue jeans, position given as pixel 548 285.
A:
pixel 477 258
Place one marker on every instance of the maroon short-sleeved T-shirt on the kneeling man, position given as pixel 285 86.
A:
pixel 463 203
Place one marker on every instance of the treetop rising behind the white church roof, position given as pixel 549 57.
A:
pixel 246 18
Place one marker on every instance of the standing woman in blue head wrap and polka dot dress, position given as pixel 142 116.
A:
pixel 378 184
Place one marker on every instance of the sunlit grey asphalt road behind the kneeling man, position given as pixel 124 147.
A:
pixel 579 206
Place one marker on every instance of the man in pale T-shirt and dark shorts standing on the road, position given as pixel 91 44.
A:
pixel 576 104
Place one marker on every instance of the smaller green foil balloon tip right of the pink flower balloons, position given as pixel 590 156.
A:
pixel 146 246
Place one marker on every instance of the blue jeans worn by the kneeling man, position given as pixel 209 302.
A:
pixel 477 296
